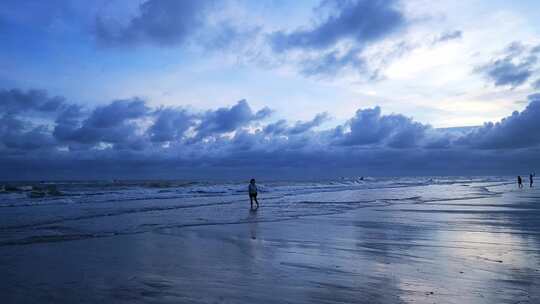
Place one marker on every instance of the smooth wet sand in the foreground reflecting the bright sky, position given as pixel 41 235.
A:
pixel 468 250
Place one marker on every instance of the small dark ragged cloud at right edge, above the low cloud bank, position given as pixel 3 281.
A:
pixel 514 68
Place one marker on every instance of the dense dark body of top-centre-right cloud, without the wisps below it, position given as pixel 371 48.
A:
pixel 361 21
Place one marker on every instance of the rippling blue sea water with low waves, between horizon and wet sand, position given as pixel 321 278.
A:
pixel 91 209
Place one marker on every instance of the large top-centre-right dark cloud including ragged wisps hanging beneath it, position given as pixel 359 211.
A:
pixel 336 42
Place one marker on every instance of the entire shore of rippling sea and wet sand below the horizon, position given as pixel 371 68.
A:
pixel 393 240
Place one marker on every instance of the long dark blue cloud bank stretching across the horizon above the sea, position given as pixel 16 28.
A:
pixel 45 136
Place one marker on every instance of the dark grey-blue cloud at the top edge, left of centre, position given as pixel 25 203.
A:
pixel 160 22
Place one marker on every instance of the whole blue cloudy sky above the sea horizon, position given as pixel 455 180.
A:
pixel 227 89
